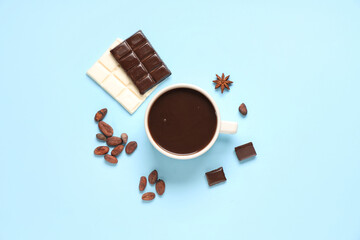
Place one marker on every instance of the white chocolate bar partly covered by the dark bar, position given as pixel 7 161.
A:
pixel 112 78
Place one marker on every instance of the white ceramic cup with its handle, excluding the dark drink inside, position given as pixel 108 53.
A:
pixel 222 126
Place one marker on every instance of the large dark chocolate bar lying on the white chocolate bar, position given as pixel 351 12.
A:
pixel 141 62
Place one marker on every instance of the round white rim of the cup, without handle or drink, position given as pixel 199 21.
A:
pixel 185 156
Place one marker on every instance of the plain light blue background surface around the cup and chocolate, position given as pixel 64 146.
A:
pixel 295 65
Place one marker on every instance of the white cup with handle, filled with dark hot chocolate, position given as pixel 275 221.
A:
pixel 182 121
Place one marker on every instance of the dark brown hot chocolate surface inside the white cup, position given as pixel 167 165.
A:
pixel 182 121
